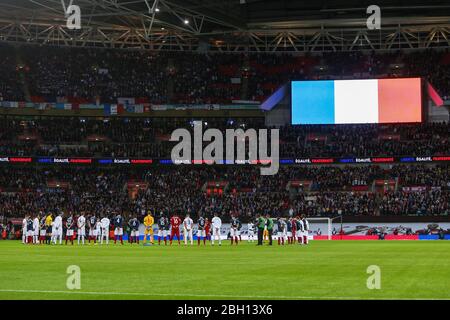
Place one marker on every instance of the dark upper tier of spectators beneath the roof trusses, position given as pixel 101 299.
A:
pixel 91 75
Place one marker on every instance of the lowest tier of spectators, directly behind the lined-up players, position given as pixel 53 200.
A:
pixel 184 189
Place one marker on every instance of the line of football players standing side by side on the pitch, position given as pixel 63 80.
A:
pixel 46 229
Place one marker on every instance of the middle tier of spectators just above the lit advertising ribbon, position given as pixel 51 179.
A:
pixel 140 137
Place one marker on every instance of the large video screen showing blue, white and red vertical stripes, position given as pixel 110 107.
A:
pixel 357 101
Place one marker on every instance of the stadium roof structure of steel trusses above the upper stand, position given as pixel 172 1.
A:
pixel 229 25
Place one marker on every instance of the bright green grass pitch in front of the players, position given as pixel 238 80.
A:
pixel 322 270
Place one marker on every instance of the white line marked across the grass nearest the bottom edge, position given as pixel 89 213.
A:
pixel 145 294
